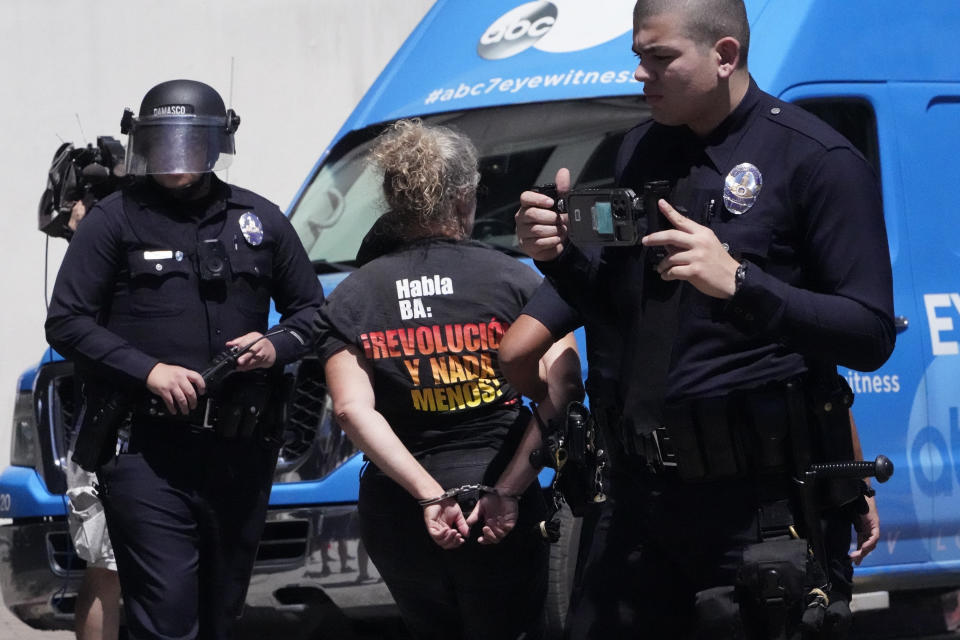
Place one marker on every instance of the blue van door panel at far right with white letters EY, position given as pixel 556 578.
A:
pixel 927 117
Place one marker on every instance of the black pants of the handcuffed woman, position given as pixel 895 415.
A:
pixel 482 592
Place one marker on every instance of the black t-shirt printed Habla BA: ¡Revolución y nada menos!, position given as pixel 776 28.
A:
pixel 429 318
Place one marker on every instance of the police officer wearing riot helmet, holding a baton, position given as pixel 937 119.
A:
pixel 162 303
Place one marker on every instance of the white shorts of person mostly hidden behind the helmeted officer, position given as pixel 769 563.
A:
pixel 87 520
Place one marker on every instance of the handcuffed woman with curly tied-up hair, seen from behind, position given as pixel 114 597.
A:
pixel 448 503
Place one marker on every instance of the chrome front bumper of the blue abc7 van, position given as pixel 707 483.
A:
pixel 307 556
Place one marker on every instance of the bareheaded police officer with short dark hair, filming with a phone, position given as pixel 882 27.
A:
pixel 775 271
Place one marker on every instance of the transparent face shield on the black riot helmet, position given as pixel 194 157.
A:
pixel 178 144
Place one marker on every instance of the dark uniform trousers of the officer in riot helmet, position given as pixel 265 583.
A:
pixel 185 511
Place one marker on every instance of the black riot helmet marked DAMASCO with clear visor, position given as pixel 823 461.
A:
pixel 182 127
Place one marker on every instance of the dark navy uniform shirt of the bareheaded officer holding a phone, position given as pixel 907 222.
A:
pixel 818 280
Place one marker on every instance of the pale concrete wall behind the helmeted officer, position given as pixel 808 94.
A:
pixel 292 69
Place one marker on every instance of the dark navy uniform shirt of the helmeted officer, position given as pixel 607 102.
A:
pixel 129 294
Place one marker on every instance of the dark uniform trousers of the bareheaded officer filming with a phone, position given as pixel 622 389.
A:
pixel 662 544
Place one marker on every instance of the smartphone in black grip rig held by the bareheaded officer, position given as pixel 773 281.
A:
pixel 610 217
